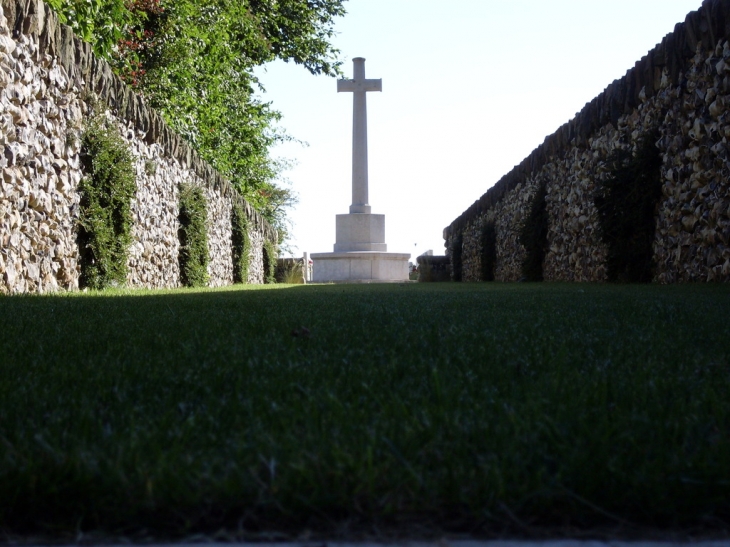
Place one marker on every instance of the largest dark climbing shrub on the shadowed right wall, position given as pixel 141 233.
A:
pixel 626 203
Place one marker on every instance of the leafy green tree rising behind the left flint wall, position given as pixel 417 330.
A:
pixel 194 59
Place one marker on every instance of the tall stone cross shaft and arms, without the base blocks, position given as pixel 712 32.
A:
pixel 358 86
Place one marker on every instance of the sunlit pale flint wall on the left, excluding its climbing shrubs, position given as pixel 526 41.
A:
pixel 47 79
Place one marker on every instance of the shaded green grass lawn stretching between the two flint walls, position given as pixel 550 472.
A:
pixel 414 409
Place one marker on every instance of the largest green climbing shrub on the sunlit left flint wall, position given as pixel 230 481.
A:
pixel 105 217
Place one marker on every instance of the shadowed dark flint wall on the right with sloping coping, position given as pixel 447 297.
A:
pixel 682 87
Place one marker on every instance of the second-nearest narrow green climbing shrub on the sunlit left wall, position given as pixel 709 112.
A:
pixel 193 236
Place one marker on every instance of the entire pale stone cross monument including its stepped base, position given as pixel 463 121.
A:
pixel 360 250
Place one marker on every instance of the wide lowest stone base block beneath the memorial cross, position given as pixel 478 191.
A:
pixel 360 267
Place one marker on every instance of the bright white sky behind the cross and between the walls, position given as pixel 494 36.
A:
pixel 470 88
